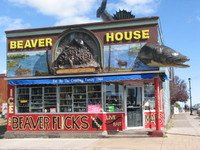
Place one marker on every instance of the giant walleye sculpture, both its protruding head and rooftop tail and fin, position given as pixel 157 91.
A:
pixel 154 55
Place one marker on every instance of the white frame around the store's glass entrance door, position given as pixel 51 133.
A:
pixel 125 106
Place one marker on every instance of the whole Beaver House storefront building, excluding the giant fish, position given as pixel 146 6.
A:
pixel 84 78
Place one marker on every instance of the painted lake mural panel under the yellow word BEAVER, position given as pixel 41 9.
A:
pixel 32 63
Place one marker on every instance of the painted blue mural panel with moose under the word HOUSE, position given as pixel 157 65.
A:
pixel 124 58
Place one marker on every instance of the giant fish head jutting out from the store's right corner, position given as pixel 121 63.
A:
pixel 161 56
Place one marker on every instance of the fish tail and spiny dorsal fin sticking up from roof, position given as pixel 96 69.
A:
pixel 121 14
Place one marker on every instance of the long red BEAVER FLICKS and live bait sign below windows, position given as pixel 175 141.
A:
pixel 65 122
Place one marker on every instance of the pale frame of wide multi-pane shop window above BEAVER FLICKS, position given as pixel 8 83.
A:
pixel 57 93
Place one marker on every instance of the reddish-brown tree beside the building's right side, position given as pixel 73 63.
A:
pixel 178 90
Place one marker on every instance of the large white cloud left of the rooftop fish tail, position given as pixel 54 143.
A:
pixel 66 12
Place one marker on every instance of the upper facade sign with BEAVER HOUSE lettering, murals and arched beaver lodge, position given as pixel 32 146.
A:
pixel 78 51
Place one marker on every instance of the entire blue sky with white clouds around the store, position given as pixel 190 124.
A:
pixel 180 22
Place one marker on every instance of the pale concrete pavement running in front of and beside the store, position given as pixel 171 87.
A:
pixel 183 135
